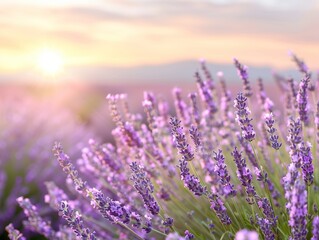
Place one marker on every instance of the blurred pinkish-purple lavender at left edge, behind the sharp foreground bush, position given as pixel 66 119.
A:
pixel 26 132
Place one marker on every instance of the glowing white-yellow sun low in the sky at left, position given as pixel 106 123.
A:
pixel 49 61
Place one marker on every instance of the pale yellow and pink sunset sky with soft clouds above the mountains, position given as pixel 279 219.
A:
pixel 134 33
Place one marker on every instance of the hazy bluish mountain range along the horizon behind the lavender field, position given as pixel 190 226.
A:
pixel 182 71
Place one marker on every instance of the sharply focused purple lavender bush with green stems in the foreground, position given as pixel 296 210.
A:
pixel 222 167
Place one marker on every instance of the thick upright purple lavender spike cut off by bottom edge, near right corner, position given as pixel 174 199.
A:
pixel 298 212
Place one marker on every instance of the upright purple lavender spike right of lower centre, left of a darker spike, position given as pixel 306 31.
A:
pixel 224 178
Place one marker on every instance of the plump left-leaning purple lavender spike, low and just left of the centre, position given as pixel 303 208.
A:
pixel 144 187
